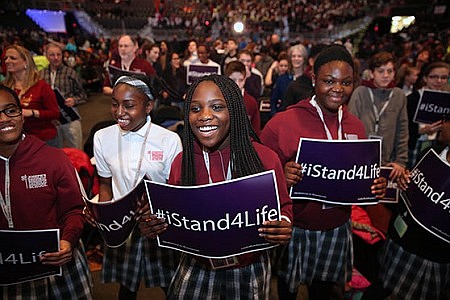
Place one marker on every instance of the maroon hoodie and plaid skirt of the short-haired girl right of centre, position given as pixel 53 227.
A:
pixel 321 244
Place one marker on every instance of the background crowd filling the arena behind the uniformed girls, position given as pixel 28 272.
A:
pixel 271 70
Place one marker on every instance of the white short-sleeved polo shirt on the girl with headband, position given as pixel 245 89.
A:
pixel 161 148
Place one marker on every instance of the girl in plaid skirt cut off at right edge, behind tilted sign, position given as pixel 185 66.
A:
pixel 415 264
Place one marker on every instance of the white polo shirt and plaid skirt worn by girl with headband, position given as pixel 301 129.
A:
pixel 118 154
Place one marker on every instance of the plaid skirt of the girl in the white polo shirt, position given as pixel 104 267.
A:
pixel 139 258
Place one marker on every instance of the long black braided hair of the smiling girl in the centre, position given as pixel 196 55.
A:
pixel 243 157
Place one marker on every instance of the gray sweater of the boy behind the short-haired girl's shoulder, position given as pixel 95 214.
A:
pixel 393 125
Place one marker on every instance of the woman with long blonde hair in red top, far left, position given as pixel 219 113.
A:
pixel 37 99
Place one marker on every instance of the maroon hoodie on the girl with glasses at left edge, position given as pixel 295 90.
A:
pixel 44 190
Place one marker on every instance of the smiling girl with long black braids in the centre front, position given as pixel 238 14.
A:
pixel 218 130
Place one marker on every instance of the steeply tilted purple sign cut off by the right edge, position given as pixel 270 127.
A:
pixel 428 195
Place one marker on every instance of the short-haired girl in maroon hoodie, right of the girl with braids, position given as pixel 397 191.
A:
pixel 320 252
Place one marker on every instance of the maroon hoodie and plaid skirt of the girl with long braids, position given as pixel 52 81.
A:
pixel 250 279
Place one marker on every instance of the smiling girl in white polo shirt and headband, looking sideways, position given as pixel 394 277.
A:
pixel 124 154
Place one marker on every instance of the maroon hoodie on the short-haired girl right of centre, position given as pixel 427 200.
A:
pixel 282 134
